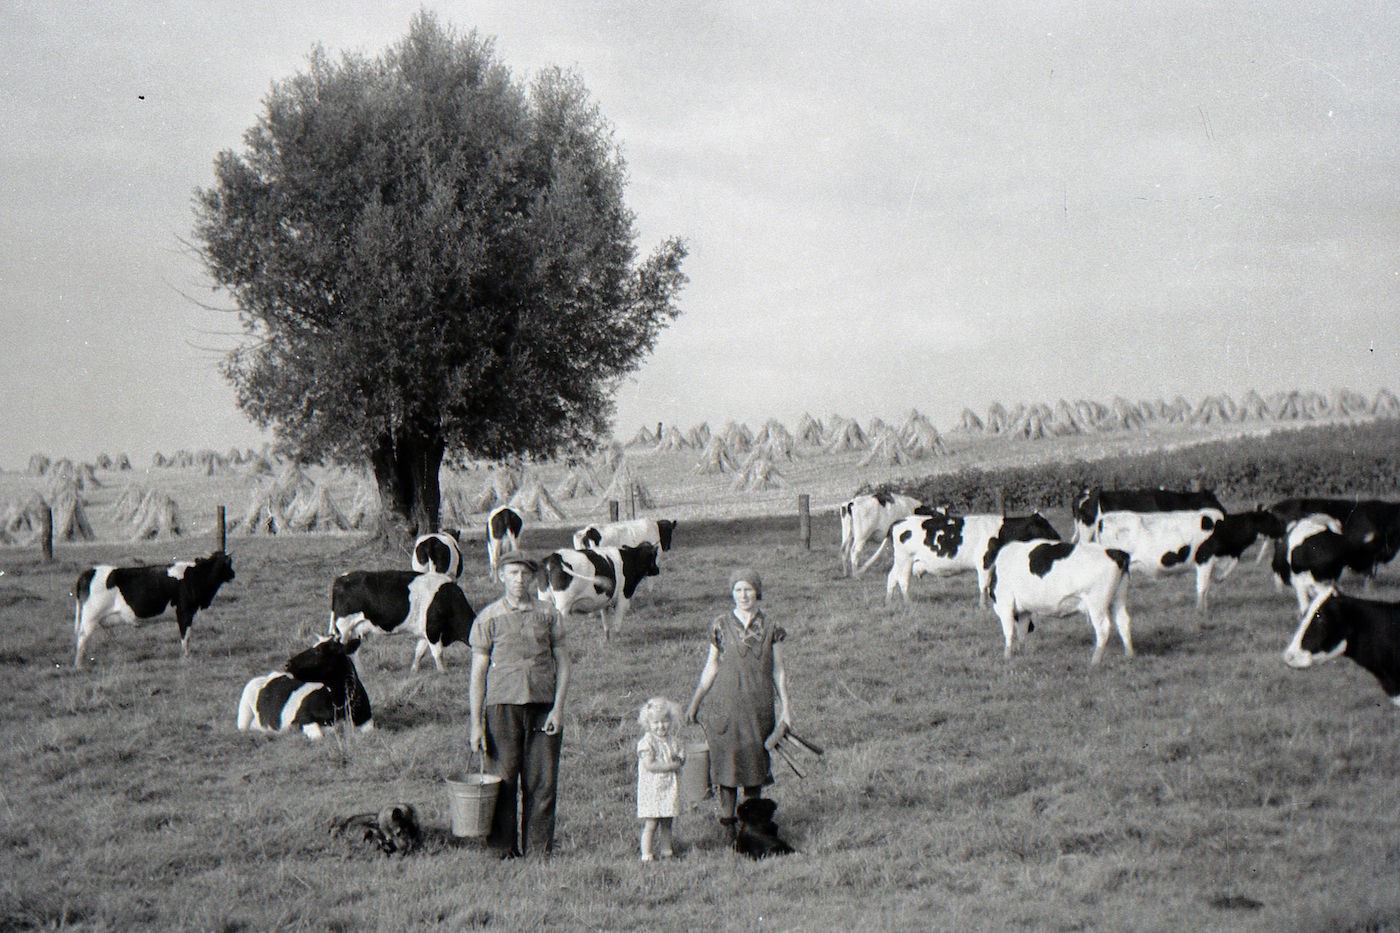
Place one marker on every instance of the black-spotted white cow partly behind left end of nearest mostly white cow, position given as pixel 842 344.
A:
pixel 944 544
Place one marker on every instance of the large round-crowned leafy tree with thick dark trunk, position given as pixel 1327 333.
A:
pixel 430 261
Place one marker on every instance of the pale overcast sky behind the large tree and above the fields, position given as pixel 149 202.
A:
pixel 887 205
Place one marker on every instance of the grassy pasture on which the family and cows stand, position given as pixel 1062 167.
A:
pixel 1202 785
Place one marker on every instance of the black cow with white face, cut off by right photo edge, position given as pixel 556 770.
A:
pixel 1367 631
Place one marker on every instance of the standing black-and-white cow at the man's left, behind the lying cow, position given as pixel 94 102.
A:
pixel 429 606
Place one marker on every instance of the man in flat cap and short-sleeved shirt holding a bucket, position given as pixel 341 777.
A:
pixel 520 677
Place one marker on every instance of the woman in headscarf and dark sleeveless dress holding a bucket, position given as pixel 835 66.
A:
pixel 744 670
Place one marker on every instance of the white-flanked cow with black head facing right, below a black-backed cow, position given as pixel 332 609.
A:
pixel 1205 541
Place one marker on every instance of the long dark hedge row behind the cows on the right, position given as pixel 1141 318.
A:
pixel 1339 460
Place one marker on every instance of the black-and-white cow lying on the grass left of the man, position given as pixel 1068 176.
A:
pixel 318 689
